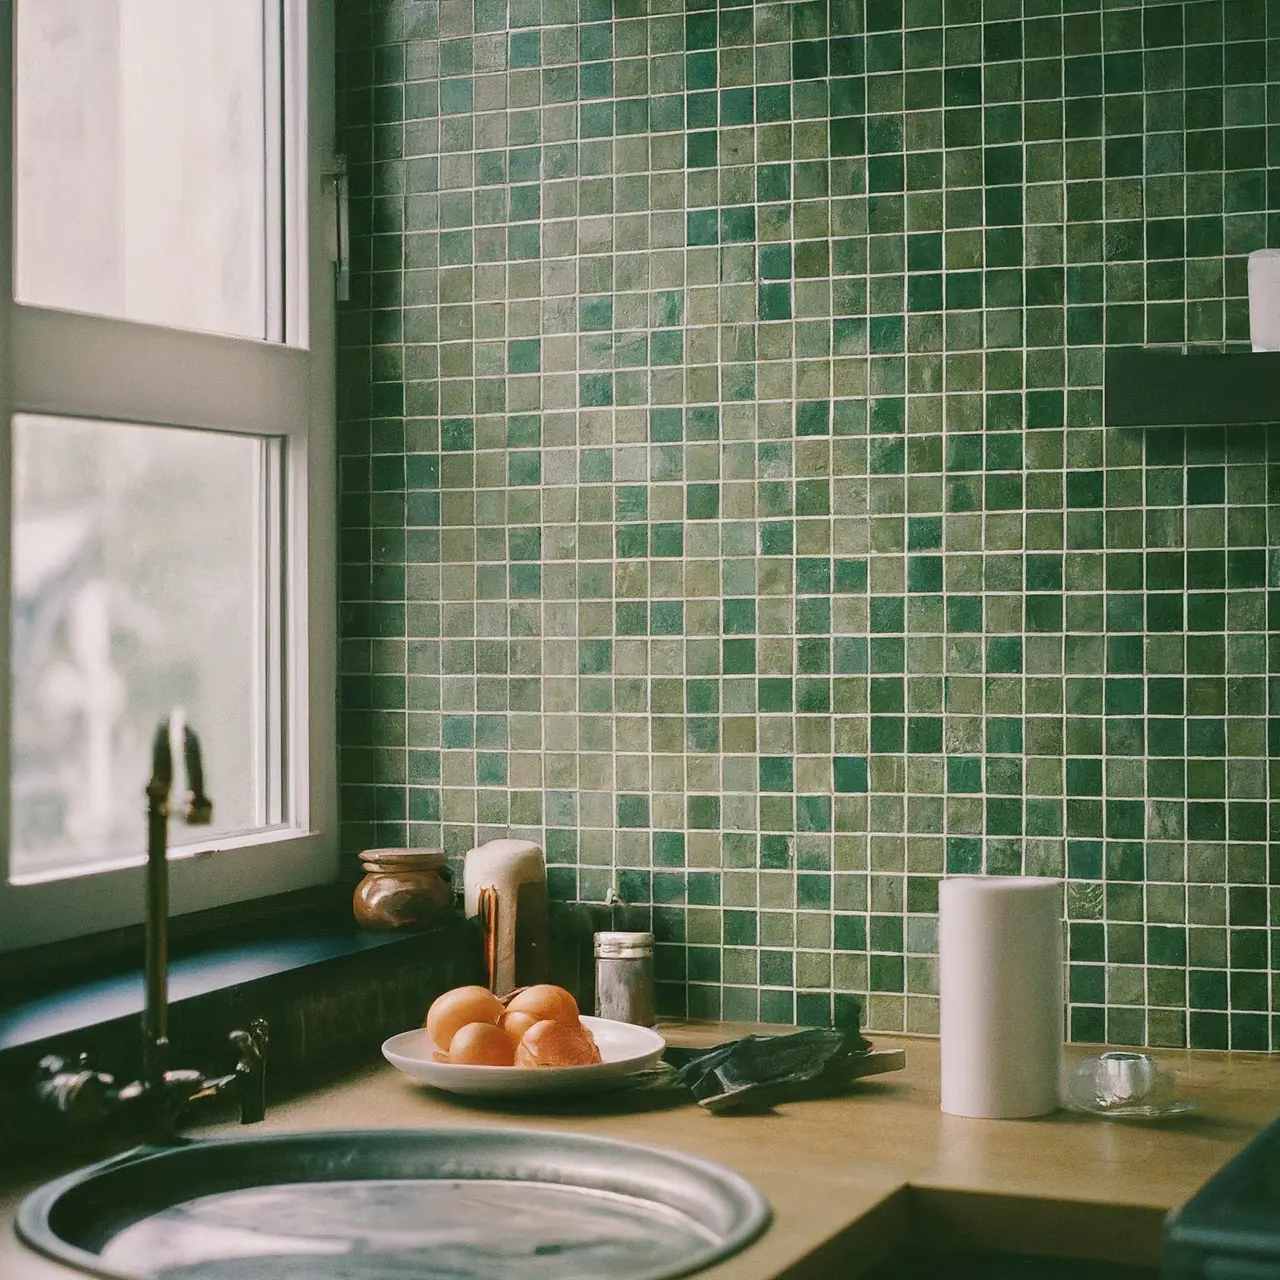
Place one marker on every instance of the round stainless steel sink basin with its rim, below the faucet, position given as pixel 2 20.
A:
pixel 391 1204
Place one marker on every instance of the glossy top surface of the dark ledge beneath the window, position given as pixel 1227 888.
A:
pixel 97 1002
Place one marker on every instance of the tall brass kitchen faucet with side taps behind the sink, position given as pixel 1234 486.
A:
pixel 162 1094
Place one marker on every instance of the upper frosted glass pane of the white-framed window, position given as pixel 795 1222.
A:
pixel 143 161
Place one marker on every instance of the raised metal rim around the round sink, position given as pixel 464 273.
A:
pixel 632 1169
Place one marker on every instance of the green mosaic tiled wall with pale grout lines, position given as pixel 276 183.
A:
pixel 726 501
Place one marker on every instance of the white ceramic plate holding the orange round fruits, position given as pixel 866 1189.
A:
pixel 625 1050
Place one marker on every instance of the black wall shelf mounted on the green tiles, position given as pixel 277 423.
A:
pixel 1155 387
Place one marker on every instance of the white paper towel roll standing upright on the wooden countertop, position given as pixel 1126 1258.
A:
pixel 1000 988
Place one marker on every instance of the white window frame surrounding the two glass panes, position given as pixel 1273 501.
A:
pixel 72 365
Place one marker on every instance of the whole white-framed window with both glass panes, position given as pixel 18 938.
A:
pixel 167 401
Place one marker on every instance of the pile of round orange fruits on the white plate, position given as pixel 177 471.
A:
pixel 537 1027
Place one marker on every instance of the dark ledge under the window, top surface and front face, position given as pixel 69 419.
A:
pixel 331 995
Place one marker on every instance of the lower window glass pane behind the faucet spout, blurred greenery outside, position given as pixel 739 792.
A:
pixel 139 586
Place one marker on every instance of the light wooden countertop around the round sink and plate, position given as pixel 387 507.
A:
pixel 854 1178
